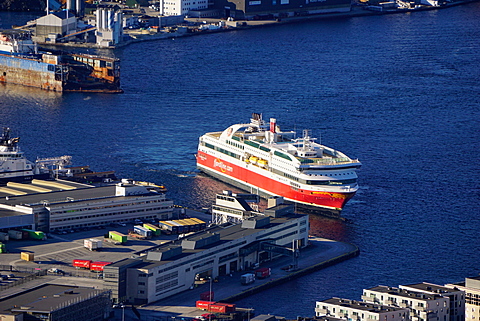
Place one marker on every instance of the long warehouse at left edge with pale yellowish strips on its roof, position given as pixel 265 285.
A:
pixel 61 205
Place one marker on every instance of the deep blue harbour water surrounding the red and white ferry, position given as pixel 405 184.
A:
pixel 400 92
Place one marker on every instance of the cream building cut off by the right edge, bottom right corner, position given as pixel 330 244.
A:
pixel 471 287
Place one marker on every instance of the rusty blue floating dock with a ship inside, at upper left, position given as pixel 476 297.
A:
pixel 21 63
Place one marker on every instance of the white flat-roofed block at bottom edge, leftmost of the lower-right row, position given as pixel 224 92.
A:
pixel 359 311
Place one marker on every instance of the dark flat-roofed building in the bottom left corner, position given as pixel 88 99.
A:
pixel 57 303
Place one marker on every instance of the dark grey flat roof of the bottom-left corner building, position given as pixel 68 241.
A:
pixel 45 298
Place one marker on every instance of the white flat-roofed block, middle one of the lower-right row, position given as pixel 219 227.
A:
pixel 422 306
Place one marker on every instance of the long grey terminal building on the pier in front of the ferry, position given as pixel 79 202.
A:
pixel 173 267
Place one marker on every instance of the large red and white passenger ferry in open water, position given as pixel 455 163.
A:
pixel 262 159
